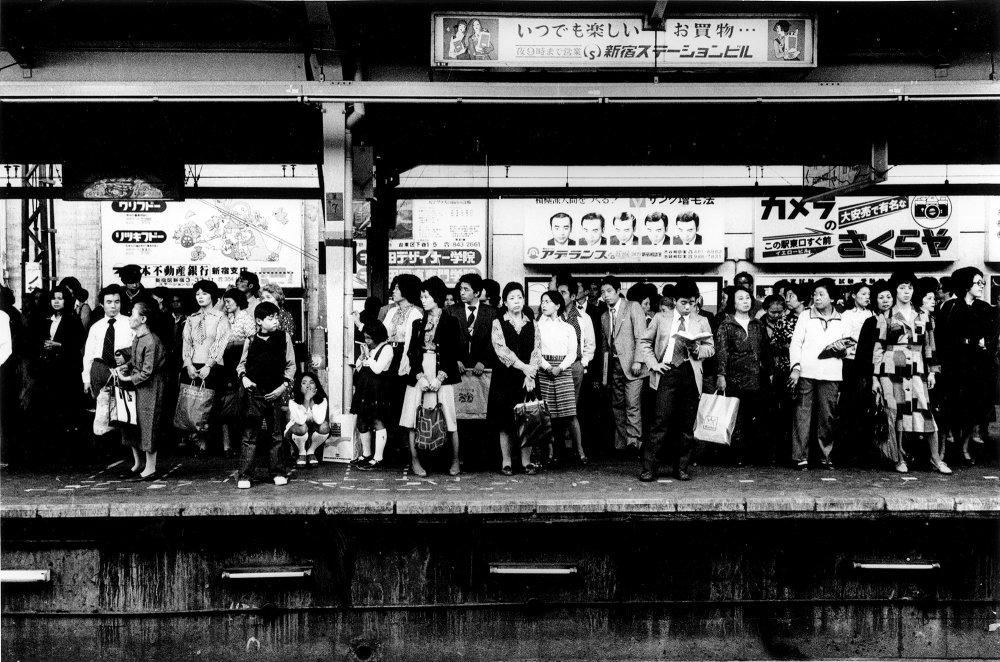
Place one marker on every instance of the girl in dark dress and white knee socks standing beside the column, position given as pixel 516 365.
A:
pixel 371 394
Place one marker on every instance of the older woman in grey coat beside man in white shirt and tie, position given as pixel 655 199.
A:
pixel 145 372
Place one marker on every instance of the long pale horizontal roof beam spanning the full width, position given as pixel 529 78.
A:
pixel 497 92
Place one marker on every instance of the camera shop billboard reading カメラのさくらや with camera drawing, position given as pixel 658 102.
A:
pixel 854 230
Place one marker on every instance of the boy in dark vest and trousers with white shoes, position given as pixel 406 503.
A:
pixel 266 371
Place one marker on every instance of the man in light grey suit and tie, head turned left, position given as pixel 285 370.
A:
pixel 622 325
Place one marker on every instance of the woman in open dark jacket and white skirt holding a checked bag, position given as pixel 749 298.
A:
pixel 433 357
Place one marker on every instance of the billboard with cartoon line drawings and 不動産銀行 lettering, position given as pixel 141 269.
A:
pixel 180 243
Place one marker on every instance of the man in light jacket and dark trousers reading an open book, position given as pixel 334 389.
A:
pixel 676 374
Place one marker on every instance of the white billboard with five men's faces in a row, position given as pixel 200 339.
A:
pixel 623 230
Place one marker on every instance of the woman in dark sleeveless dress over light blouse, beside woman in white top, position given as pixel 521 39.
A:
pixel 518 347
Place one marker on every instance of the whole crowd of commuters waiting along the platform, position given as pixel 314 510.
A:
pixel 896 373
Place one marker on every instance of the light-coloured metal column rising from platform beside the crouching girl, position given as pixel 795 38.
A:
pixel 337 189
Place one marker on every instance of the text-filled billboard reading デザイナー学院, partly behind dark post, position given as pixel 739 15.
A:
pixel 443 238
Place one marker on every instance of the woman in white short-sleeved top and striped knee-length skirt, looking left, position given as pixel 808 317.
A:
pixel 555 381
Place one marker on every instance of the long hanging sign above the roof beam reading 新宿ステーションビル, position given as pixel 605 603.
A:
pixel 616 41
